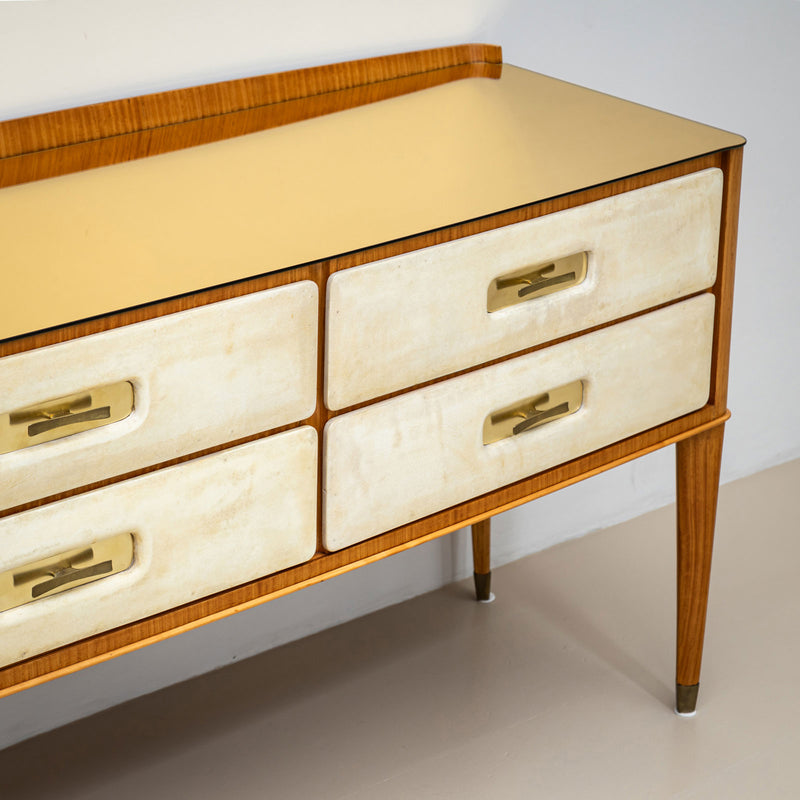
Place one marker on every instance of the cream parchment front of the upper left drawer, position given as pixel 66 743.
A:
pixel 200 378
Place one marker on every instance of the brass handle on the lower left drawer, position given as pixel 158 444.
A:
pixel 65 571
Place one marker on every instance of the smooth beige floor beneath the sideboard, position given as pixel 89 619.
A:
pixel 562 688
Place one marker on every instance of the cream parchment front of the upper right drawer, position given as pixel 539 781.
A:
pixel 399 322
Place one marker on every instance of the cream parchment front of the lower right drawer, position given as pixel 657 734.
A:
pixel 401 459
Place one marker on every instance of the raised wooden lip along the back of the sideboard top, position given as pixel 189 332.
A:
pixel 25 136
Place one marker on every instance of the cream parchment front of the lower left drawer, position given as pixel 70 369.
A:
pixel 197 528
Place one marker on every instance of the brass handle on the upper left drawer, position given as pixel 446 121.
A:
pixel 65 416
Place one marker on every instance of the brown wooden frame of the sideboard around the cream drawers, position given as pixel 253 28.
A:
pixel 67 141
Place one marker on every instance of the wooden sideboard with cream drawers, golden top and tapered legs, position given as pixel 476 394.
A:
pixel 258 333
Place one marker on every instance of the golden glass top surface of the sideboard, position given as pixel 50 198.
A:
pixel 110 238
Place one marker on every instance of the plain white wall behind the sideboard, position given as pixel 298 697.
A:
pixel 734 65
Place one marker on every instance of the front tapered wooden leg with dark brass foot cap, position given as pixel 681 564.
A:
pixel 698 463
